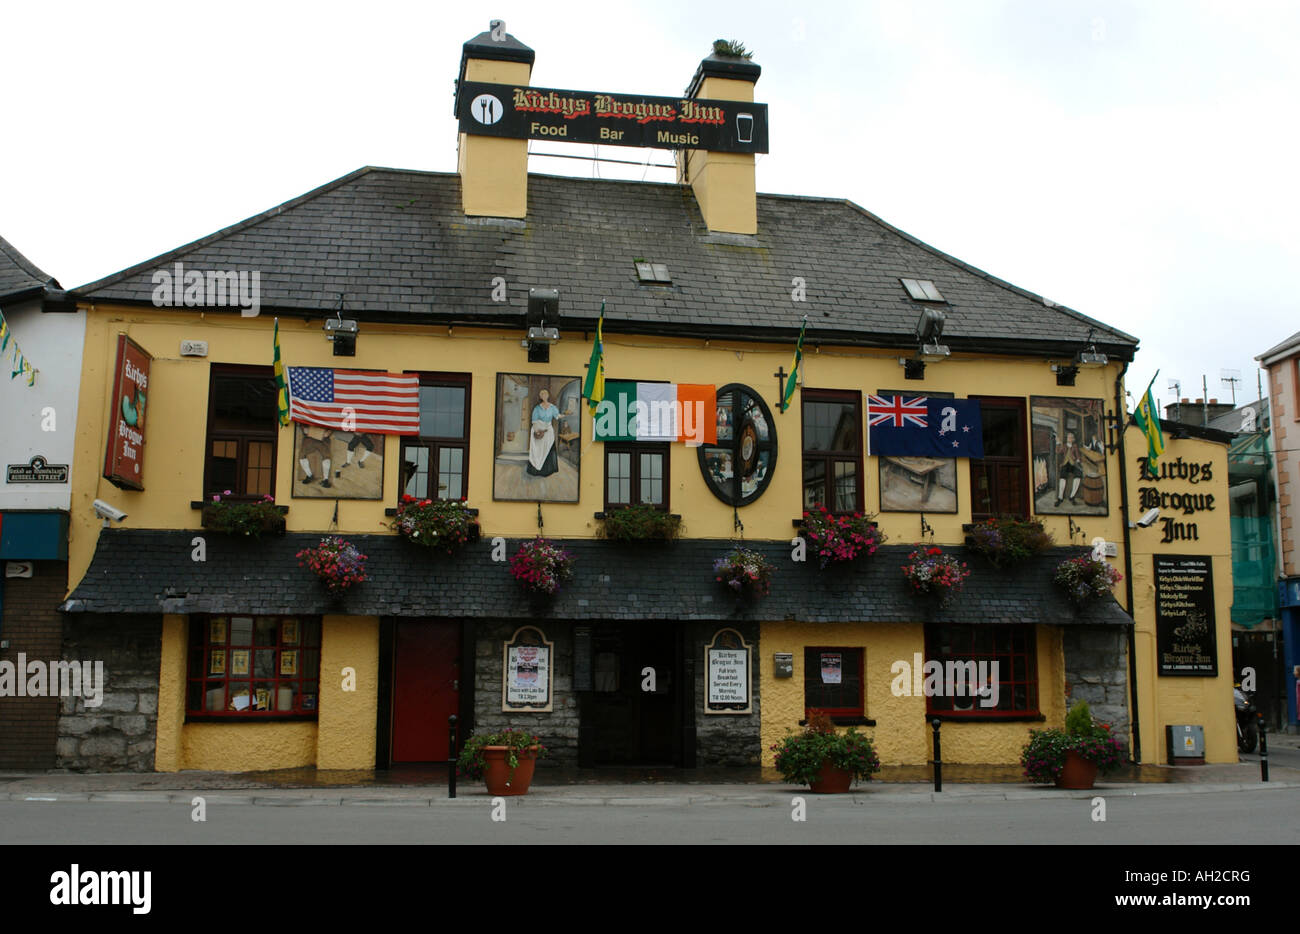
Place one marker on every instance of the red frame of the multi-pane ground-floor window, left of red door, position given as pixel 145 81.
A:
pixel 201 645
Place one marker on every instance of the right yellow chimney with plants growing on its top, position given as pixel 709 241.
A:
pixel 723 183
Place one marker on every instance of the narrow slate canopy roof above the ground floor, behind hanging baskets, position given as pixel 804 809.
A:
pixel 151 572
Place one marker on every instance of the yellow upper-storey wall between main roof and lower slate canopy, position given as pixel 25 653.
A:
pixel 175 451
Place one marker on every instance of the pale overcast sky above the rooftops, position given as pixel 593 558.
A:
pixel 1133 161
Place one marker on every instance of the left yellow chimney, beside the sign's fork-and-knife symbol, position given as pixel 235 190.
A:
pixel 493 170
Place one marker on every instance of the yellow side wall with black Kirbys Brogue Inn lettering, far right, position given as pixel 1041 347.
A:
pixel 1164 700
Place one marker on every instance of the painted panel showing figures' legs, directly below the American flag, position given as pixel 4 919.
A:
pixel 337 465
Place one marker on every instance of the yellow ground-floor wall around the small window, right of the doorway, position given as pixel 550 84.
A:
pixel 902 734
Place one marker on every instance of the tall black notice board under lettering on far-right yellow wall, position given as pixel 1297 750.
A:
pixel 1186 642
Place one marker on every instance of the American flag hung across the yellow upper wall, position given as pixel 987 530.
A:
pixel 356 400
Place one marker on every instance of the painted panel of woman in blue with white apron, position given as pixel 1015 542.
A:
pixel 539 438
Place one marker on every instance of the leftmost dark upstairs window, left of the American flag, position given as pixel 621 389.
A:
pixel 242 431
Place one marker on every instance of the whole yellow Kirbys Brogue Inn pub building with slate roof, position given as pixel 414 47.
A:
pixel 487 287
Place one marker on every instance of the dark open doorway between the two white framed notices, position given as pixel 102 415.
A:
pixel 625 723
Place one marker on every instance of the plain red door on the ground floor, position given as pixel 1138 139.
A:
pixel 426 689
